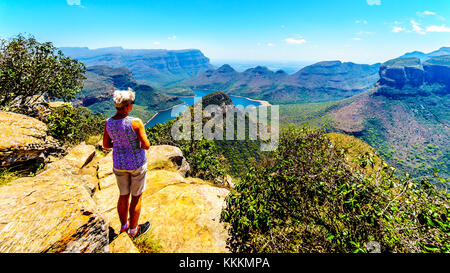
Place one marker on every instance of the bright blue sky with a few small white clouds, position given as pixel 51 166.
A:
pixel 364 31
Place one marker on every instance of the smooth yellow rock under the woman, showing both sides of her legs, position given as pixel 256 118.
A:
pixel 184 212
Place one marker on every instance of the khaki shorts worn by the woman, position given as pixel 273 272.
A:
pixel 131 181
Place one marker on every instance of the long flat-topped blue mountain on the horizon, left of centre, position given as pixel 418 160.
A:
pixel 153 66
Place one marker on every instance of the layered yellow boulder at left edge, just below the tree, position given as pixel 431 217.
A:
pixel 23 139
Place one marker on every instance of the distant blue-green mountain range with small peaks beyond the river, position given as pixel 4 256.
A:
pixel 323 81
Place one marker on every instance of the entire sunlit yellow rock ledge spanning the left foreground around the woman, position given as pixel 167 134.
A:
pixel 71 207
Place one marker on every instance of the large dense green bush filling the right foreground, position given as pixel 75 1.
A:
pixel 305 197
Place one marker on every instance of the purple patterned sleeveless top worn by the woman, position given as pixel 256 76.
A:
pixel 127 152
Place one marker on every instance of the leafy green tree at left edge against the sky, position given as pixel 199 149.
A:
pixel 30 69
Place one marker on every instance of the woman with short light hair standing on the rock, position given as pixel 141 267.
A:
pixel 126 136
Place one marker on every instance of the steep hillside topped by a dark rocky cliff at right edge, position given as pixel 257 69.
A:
pixel 405 117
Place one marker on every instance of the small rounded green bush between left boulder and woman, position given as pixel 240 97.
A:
pixel 73 125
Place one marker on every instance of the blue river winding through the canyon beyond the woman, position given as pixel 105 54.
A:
pixel 166 115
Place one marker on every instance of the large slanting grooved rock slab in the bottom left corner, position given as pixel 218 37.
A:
pixel 53 211
